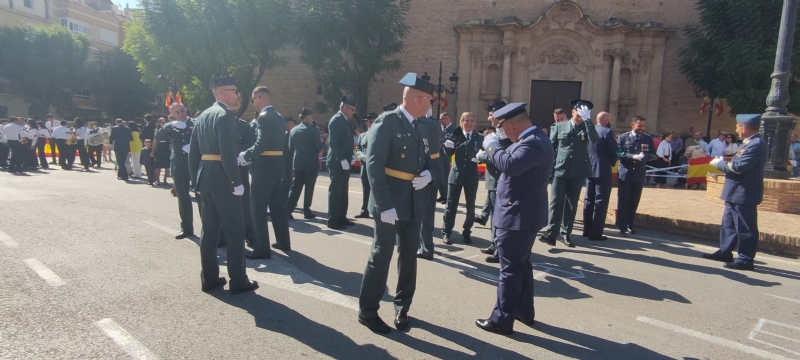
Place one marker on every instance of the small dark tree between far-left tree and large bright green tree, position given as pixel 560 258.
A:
pixel 115 77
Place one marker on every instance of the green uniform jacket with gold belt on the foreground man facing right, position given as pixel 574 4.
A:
pixel 401 148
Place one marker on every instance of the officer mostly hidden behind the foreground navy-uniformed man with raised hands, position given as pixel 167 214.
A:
pixel 490 181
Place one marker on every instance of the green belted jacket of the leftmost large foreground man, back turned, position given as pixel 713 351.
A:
pixel 215 132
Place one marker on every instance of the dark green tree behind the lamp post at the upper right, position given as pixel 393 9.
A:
pixel 731 52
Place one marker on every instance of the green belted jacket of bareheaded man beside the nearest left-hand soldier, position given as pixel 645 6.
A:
pixel 270 131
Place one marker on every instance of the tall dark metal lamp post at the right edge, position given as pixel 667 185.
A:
pixel 776 123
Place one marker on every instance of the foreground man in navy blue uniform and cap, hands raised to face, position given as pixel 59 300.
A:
pixel 524 156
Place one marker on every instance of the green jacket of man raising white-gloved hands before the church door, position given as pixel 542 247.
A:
pixel 572 149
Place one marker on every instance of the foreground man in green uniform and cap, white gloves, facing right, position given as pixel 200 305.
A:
pixel 398 172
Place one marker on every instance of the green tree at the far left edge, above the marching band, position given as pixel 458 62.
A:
pixel 46 64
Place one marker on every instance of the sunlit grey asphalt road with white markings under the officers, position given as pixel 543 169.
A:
pixel 91 271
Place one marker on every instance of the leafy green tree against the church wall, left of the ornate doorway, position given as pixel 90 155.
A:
pixel 347 43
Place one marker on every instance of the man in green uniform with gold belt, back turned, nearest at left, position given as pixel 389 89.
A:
pixel 212 164
